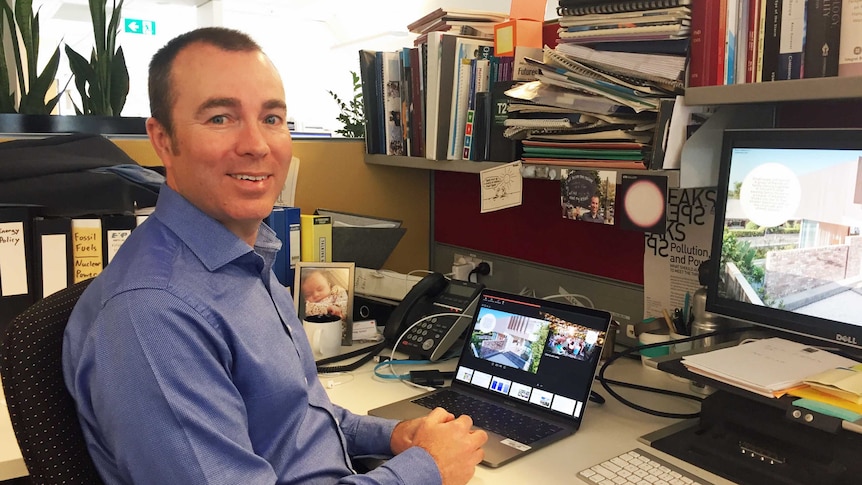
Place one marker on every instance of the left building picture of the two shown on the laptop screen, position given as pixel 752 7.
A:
pixel 509 340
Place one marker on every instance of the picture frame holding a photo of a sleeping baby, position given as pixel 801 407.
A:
pixel 326 288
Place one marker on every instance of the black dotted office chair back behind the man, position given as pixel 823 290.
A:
pixel 42 411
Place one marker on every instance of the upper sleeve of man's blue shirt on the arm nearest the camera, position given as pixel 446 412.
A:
pixel 162 399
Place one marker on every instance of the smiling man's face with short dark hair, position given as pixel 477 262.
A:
pixel 230 148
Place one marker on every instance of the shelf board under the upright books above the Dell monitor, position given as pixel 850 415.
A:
pixel 777 91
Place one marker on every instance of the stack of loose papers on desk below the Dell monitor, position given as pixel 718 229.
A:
pixel 769 367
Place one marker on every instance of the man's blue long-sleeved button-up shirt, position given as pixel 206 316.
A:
pixel 188 365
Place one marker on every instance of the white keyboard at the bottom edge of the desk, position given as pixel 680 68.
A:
pixel 639 468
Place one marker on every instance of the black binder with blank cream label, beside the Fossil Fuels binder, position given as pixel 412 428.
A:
pixel 52 255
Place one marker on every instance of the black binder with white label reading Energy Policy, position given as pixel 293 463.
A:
pixel 15 276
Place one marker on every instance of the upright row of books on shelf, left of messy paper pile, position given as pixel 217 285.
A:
pixel 437 99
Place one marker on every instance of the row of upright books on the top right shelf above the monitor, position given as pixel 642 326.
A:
pixel 749 41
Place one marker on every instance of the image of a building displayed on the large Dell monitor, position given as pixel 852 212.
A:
pixel 792 231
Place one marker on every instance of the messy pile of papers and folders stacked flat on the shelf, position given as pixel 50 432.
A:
pixel 594 109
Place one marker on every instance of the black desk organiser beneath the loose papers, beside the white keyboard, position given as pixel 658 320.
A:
pixel 751 439
